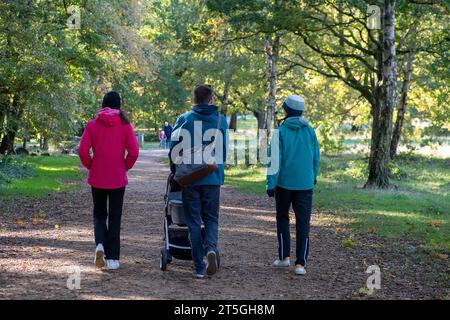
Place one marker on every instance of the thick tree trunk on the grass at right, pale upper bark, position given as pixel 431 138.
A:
pixel 383 104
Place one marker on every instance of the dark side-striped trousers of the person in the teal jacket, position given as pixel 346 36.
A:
pixel 301 201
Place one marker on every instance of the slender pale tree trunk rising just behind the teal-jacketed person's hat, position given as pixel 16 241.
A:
pixel 272 50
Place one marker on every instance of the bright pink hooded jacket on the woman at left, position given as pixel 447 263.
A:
pixel 108 137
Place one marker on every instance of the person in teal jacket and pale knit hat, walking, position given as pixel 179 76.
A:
pixel 291 177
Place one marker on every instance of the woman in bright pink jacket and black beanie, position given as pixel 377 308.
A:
pixel 109 136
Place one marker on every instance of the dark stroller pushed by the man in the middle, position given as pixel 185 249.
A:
pixel 176 235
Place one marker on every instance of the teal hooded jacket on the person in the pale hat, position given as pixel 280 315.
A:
pixel 297 164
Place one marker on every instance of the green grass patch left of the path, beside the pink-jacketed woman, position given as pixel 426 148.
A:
pixel 50 174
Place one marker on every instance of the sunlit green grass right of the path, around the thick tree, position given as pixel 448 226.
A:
pixel 418 209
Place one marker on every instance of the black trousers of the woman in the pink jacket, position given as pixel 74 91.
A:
pixel 108 205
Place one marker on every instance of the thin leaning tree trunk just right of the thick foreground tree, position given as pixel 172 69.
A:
pixel 402 106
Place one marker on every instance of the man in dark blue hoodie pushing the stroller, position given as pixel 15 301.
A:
pixel 202 199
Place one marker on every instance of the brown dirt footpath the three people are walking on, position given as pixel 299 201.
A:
pixel 39 252
